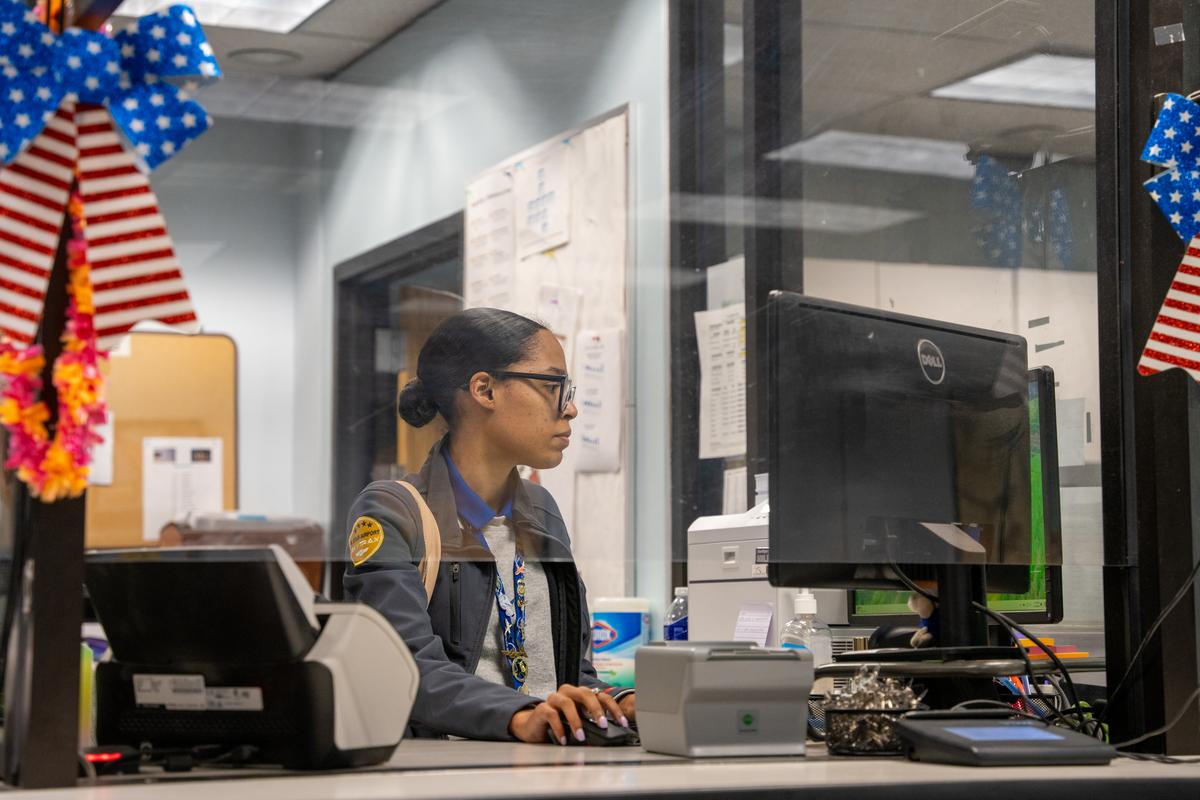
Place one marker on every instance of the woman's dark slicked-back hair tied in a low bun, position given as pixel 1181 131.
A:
pixel 477 340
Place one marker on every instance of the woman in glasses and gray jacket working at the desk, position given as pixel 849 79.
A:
pixel 502 639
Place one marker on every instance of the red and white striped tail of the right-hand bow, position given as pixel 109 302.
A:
pixel 1175 339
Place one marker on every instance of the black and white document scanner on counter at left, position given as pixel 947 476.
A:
pixel 226 646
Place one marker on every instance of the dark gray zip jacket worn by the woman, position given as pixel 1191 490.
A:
pixel 448 636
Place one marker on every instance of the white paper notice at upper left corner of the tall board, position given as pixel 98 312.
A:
pixel 489 261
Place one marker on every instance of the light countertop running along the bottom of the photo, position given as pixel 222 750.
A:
pixel 436 771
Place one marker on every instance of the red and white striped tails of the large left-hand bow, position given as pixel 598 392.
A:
pixel 135 273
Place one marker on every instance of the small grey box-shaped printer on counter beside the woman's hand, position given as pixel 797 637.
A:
pixel 700 700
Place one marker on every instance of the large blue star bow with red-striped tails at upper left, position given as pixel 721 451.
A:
pixel 61 98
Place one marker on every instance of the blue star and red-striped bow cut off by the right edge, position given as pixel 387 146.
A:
pixel 1175 145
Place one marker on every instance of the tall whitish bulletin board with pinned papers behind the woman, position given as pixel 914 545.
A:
pixel 547 236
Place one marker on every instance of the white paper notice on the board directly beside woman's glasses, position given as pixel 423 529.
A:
pixel 599 399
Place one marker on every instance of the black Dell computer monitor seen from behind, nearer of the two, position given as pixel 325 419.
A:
pixel 898 447
